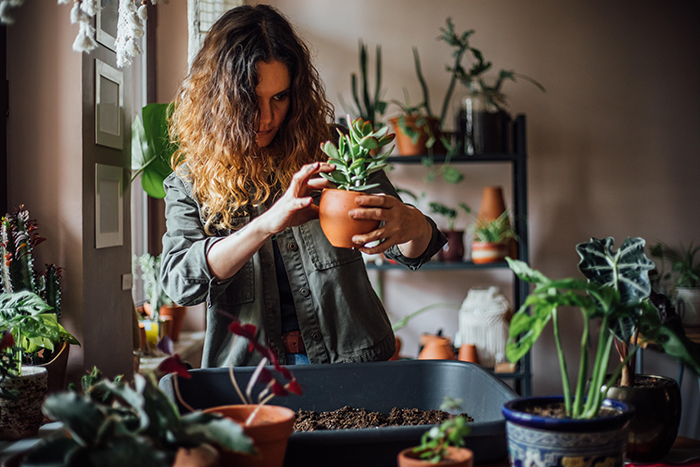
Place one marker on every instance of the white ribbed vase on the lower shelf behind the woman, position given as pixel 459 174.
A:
pixel 483 321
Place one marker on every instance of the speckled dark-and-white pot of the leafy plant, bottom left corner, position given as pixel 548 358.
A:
pixel 22 418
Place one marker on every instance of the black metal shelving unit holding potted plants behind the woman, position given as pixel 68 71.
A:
pixel 518 161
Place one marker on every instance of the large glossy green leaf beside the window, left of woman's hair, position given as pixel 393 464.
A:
pixel 151 148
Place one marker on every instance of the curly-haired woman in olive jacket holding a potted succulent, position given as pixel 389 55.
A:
pixel 242 229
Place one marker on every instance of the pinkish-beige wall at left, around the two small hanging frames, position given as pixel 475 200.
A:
pixel 51 167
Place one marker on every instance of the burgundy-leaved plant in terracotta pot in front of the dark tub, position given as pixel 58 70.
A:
pixel 269 426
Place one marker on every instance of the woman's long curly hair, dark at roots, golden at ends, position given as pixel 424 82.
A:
pixel 216 115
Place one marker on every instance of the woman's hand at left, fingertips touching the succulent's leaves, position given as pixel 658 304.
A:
pixel 295 206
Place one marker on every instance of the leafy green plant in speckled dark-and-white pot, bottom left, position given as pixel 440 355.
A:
pixel 27 323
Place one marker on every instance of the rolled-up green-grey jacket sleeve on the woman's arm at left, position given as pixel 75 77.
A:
pixel 184 271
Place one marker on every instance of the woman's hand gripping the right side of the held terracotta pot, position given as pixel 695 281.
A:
pixel 403 225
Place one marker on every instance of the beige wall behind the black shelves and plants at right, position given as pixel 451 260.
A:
pixel 613 145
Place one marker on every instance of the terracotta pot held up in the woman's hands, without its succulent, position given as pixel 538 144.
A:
pixel 336 223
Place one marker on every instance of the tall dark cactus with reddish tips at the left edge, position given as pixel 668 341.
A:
pixel 18 237
